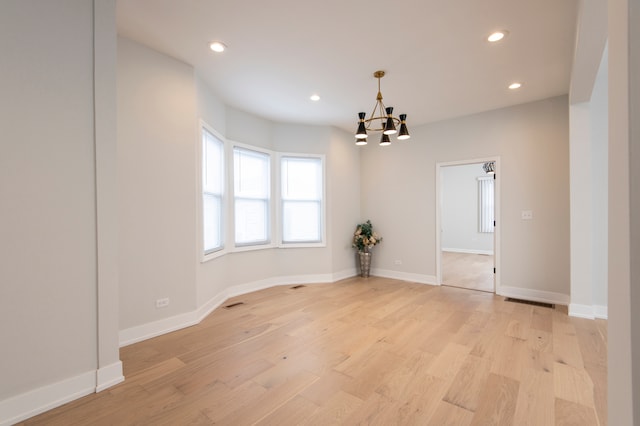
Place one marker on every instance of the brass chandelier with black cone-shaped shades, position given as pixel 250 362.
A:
pixel 381 120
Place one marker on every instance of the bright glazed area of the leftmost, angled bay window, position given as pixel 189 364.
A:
pixel 212 191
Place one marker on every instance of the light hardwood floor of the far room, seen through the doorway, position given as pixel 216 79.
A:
pixel 466 270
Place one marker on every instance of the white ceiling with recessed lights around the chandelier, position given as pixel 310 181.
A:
pixel 438 63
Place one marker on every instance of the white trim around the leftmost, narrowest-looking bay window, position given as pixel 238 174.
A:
pixel 205 257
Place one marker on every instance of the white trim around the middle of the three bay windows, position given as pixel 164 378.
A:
pixel 272 212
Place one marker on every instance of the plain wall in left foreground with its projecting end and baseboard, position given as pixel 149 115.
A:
pixel 54 132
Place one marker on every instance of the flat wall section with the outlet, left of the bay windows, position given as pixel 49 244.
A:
pixel 157 134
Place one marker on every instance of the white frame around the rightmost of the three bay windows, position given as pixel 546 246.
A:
pixel 280 201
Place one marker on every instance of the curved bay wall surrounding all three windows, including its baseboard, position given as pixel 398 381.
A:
pixel 161 103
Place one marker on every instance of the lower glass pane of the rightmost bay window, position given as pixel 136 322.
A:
pixel 301 221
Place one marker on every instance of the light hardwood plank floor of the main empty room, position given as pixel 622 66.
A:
pixel 361 351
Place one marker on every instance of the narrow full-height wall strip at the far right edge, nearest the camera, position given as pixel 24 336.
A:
pixel 624 214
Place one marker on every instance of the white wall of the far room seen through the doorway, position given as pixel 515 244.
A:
pixel 459 185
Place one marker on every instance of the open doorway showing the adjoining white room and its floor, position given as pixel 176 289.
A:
pixel 467 231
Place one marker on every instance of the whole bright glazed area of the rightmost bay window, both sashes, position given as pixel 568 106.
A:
pixel 302 199
